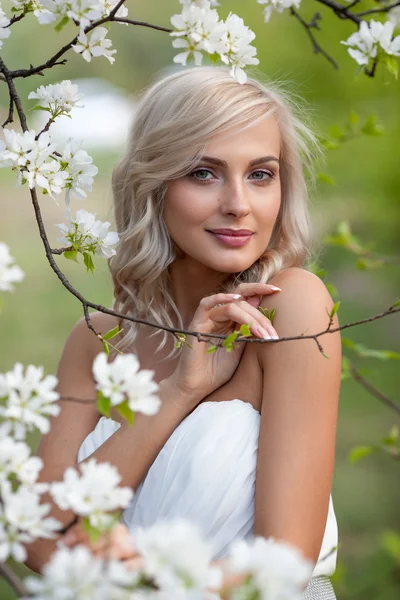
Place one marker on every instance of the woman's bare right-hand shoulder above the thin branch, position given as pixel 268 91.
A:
pixel 303 304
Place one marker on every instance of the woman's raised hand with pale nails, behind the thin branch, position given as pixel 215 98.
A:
pixel 198 374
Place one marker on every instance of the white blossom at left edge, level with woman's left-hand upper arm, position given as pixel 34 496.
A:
pixel 29 400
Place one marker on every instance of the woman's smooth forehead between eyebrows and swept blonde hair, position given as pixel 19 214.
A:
pixel 256 140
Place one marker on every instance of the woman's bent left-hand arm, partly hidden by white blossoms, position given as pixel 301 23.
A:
pixel 131 449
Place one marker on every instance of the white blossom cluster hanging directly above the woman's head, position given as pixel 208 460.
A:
pixel 198 29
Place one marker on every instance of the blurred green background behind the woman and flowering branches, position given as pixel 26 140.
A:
pixel 37 319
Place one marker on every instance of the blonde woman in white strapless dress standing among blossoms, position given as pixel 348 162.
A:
pixel 244 441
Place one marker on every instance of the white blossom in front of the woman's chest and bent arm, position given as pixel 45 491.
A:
pixel 122 379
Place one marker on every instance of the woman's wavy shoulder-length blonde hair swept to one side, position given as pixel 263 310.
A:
pixel 175 119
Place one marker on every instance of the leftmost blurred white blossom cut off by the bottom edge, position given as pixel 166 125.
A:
pixel 75 574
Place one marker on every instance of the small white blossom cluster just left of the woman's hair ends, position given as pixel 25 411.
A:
pixel 88 234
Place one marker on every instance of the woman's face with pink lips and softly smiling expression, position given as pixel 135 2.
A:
pixel 236 186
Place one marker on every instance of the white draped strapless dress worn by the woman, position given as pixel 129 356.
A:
pixel 206 472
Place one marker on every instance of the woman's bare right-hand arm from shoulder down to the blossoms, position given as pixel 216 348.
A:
pixel 299 415
